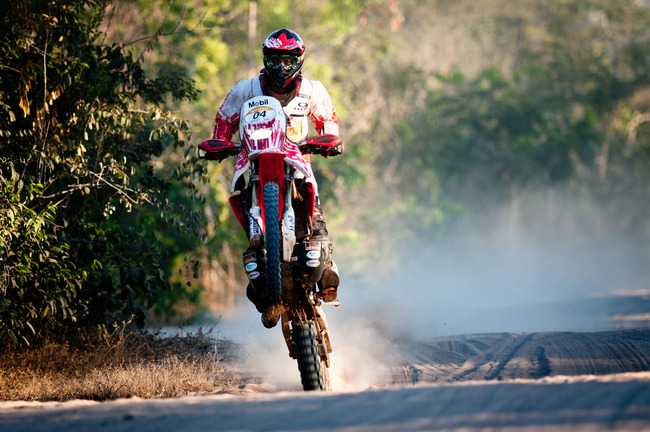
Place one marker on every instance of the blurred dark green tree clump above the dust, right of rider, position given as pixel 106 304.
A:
pixel 491 131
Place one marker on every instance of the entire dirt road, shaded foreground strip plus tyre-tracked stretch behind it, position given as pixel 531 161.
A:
pixel 506 382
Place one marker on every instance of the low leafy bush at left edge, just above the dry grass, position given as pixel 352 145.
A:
pixel 39 281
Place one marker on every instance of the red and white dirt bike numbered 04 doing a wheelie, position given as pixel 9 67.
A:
pixel 276 209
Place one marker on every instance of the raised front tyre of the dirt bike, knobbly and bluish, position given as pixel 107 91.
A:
pixel 272 240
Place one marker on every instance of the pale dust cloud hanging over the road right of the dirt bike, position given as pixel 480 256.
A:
pixel 544 262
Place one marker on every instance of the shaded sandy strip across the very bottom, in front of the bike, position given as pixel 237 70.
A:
pixel 618 402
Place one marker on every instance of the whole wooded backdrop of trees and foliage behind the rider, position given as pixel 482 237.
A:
pixel 448 110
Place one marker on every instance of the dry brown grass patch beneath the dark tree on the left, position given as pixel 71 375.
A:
pixel 115 364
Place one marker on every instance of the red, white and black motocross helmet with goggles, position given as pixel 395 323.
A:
pixel 284 53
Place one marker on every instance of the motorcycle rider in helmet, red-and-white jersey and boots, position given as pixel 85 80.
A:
pixel 283 54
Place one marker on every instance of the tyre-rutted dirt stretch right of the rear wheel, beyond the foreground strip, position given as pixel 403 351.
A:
pixel 529 355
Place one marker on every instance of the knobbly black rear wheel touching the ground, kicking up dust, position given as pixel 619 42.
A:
pixel 313 373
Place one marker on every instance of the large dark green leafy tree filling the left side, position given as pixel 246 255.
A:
pixel 81 123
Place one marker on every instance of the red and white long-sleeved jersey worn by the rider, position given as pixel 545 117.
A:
pixel 312 101
